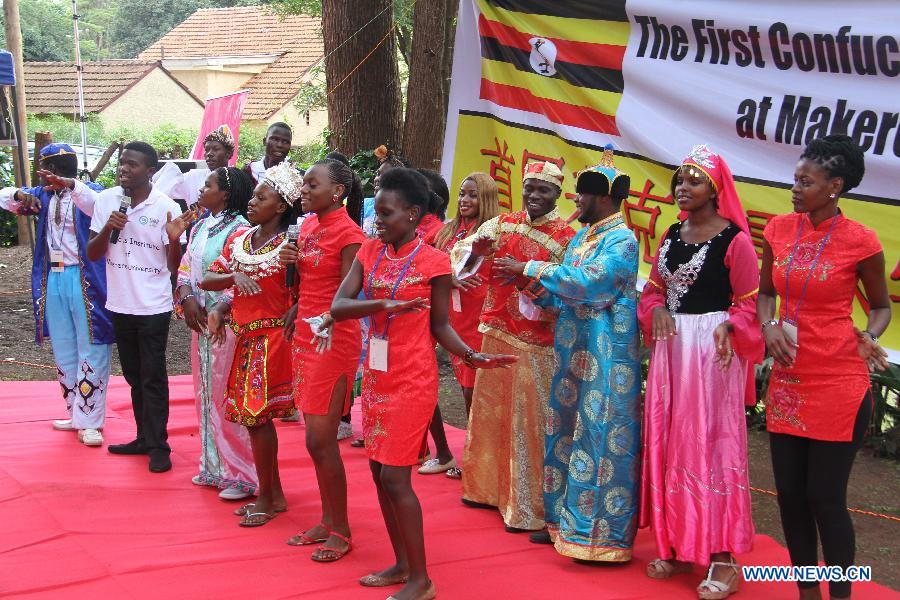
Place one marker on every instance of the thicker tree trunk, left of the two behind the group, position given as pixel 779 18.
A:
pixel 364 104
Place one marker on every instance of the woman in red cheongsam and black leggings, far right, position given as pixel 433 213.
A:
pixel 820 402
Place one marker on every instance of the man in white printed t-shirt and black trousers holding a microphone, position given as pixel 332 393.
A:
pixel 139 264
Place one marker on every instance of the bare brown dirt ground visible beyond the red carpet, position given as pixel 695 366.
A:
pixel 874 484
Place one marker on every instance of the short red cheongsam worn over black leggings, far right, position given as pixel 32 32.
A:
pixel 820 395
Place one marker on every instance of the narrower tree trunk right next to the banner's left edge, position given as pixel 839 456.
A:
pixel 429 82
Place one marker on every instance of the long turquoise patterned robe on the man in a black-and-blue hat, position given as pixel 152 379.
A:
pixel 592 436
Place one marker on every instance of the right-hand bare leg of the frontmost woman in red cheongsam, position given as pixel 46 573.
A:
pixel 395 481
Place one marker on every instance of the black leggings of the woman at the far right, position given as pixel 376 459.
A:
pixel 811 478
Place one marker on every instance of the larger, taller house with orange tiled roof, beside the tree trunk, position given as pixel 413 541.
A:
pixel 216 51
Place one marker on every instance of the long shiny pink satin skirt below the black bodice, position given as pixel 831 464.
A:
pixel 695 493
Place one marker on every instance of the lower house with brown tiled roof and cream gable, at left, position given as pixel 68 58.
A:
pixel 134 93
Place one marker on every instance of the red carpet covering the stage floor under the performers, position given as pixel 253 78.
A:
pixel 78 522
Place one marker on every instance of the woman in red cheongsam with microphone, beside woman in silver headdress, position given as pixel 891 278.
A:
pixel 325 360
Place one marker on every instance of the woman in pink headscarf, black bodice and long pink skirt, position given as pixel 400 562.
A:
pixel 697 314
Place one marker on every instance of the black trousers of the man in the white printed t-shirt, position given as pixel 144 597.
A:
pixel 141 341
